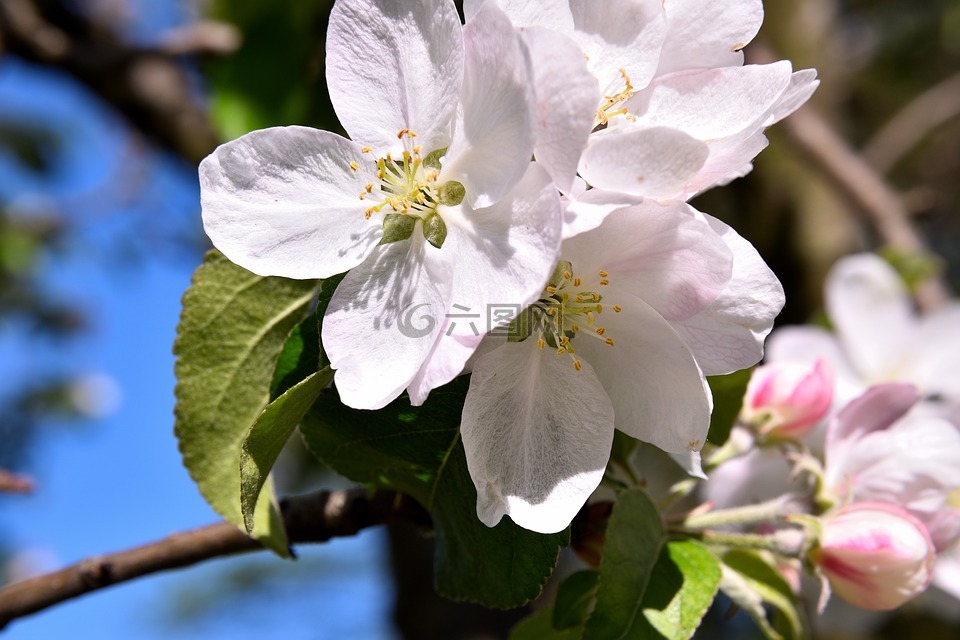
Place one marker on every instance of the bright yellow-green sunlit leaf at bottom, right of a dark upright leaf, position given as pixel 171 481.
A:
pixel 681 590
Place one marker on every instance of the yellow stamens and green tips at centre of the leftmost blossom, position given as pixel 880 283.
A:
pixel 407 190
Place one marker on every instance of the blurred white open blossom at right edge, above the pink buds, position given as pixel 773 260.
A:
pixel 879 337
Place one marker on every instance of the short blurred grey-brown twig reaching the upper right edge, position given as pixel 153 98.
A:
pixel 931 109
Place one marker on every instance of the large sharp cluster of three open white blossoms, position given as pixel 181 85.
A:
pixel 539 156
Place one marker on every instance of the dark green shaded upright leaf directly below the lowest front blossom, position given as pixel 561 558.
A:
pixel 634 537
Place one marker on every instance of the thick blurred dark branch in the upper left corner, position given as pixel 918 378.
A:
pixel 149 87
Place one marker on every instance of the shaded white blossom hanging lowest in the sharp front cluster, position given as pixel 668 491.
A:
pixel 621 337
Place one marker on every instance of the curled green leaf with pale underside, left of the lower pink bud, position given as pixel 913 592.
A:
pixel 747 579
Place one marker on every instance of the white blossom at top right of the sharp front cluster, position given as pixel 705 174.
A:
pixel 675 112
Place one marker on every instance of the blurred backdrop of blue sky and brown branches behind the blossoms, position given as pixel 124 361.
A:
pixel 107 106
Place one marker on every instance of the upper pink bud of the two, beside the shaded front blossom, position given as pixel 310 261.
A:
pixel 788 399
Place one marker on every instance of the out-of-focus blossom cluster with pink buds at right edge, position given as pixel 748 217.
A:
pixel 885 383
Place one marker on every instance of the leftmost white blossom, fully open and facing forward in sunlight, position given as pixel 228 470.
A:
pixel 432 204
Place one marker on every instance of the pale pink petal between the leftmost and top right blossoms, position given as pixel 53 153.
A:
pixel 567 99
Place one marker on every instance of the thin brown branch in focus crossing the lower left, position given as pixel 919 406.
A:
pixel 315 517
